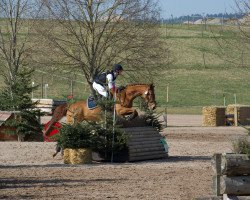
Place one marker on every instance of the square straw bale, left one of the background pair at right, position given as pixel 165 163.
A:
pixel 213 116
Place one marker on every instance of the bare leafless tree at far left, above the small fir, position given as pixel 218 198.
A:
pixel 15 46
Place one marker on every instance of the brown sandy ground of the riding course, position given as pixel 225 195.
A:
pixel 28 171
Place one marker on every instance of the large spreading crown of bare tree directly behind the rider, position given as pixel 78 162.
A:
pixel 92 35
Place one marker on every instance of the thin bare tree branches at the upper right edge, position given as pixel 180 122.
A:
pixel 233 43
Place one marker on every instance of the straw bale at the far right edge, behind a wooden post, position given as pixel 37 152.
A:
pixel 243 112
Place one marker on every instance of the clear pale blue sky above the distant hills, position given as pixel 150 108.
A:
pixel 187 7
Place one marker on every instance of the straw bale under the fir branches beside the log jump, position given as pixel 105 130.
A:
pixel 77 156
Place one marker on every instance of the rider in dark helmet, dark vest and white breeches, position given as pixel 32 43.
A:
pixel 107 80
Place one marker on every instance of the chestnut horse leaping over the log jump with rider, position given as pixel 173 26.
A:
pixel 79 110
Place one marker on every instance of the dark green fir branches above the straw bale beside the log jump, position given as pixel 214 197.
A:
pixel 94 136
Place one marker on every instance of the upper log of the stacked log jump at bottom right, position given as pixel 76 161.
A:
pixel 235 164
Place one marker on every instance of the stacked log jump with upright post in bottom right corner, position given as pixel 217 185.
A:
pixel 232 176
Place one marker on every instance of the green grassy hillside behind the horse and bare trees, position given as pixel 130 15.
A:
pixel 202 72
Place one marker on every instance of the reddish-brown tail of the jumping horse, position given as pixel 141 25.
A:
pixel 59 113
